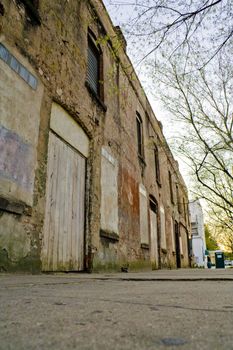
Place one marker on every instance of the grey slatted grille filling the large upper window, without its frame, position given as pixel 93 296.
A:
pixel 93 66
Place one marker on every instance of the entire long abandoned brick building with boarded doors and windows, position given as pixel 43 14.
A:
pixel 87 181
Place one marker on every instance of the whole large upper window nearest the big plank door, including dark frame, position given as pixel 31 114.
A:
pixel 95 68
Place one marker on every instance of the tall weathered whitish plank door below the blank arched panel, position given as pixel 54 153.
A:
pixel 63 244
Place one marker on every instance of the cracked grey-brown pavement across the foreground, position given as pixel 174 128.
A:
pixel 185 309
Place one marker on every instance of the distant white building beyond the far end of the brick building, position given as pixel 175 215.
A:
pixel 198 233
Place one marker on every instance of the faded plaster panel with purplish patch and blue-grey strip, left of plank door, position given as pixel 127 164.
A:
pixel 19 129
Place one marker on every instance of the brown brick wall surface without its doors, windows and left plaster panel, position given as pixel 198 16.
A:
pixel 56 52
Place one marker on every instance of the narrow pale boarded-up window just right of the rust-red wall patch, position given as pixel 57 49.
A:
pixel 143 215
